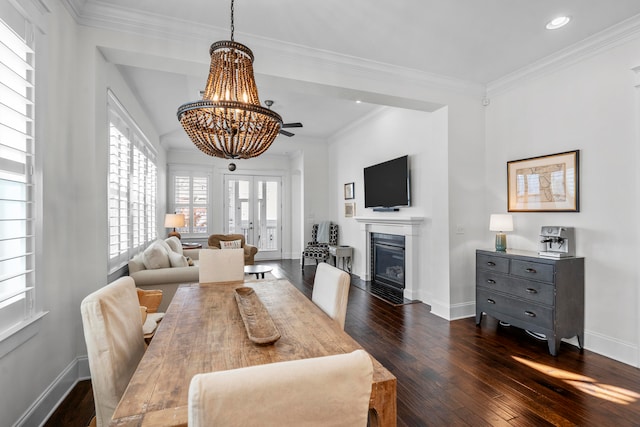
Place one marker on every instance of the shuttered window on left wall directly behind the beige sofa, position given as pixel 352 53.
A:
pixel 132 187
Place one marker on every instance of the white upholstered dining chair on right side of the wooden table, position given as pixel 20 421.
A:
pixel 331 291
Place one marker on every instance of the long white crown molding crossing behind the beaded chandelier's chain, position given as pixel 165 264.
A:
pixel 95 13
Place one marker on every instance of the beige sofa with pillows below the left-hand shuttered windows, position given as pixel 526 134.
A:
pixel 153 272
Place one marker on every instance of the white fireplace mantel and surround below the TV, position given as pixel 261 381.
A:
pixel 409 227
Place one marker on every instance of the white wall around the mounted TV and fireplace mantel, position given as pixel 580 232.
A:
pixel 386 134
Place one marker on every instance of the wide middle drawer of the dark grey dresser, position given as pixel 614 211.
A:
pixel 537 292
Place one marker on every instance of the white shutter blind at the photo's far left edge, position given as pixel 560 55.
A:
pixel 17 210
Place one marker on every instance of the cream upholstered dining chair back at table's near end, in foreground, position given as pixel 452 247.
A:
pixel 322 391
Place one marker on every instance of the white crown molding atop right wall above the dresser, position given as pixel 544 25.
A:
pixel 611 37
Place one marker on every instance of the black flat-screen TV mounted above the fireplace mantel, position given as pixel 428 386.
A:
pixel 386 185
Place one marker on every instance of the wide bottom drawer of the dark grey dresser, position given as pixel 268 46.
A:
pixel 524 311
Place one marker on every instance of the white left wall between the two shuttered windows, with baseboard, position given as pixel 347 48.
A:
pixel 72 79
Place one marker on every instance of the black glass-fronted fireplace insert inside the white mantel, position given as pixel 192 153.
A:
pixel 387 260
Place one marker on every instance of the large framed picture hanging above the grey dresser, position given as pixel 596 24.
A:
pixel 544 184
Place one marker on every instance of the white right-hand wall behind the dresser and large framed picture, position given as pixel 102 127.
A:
pixel 591 106
